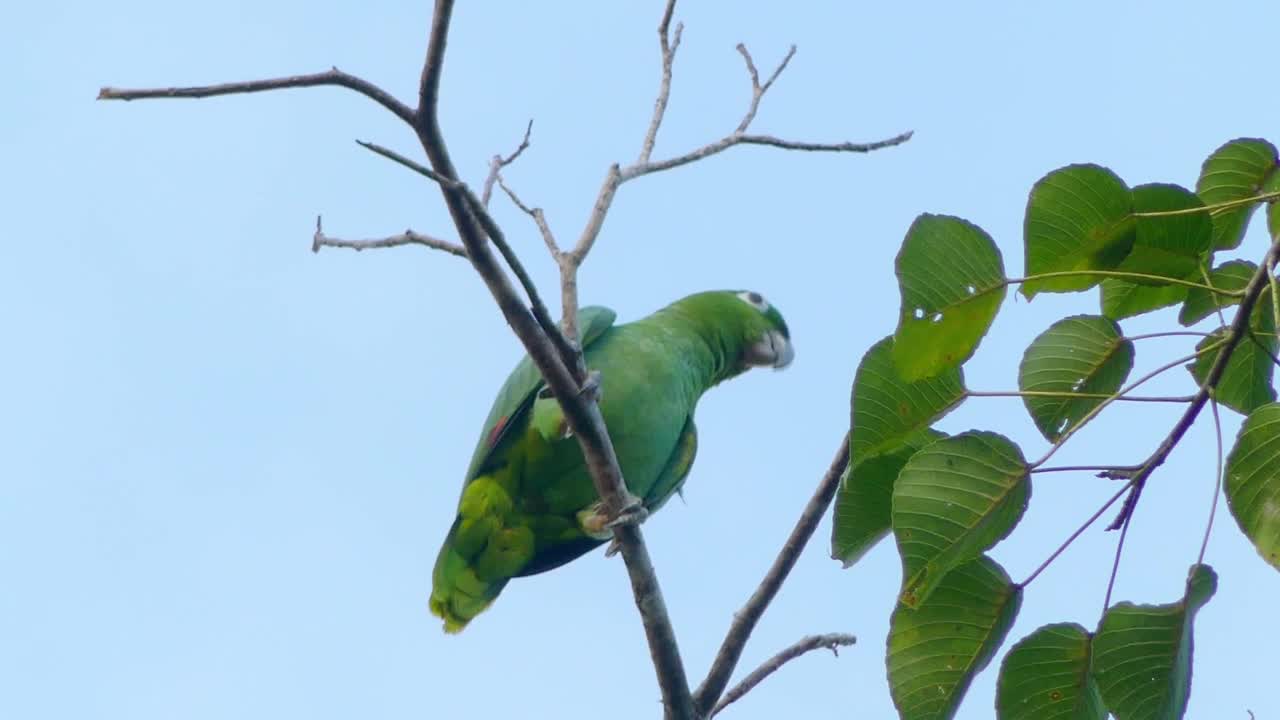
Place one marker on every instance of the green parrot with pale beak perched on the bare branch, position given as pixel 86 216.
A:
pixel 528 502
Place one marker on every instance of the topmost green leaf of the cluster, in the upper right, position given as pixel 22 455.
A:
pixel 1236 171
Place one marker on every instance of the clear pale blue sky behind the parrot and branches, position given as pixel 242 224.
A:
pixel 227 464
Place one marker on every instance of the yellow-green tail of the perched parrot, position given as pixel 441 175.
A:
pixel 487 546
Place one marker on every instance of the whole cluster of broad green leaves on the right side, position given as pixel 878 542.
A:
pixel 950 499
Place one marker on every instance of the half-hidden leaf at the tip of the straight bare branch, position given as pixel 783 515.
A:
pixel 866 499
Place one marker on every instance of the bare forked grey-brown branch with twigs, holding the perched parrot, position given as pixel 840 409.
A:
pixel 555 349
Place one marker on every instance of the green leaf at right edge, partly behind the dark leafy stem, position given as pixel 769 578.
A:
pixel 1246 382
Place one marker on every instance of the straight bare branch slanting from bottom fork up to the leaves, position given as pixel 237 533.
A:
pixel 746 619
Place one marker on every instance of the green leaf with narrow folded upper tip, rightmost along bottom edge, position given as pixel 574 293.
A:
pixel 1142 654
